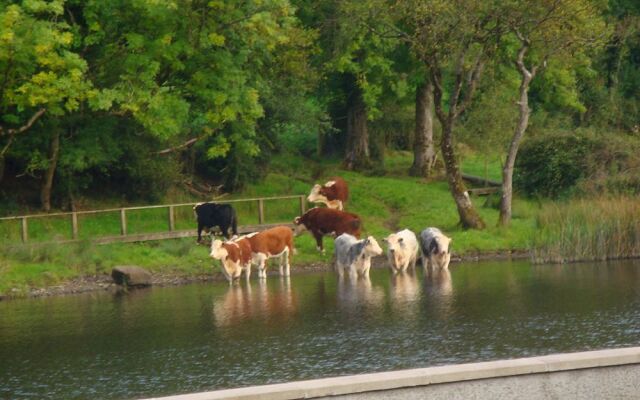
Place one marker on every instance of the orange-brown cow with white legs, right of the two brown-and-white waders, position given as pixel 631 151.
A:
pixel 273 242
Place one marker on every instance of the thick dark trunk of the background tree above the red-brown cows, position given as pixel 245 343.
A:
pixel 357 156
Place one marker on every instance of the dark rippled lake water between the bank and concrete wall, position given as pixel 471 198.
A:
pixel 164 341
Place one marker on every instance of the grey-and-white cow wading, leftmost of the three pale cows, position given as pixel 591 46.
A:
pixel 355 255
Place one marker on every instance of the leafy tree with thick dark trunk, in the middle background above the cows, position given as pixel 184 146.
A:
pixel 355 63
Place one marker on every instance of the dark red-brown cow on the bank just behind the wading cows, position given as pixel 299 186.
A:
pixel 326 221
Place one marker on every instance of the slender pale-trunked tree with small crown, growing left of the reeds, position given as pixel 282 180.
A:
pixel 544 30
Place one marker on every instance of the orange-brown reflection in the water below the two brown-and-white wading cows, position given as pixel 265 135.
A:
pixel 242 303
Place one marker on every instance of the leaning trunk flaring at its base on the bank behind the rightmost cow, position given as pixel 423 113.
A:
pixel 469 217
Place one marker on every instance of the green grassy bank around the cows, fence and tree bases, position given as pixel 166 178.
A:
pixel 385 203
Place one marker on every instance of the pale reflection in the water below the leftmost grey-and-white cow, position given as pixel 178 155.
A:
pixel 357 293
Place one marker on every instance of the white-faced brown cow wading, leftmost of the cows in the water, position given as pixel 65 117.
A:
pixel 234 255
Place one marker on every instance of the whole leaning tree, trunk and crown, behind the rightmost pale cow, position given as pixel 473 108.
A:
pixel 453 39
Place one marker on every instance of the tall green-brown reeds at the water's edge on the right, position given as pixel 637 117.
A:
pixel 583 230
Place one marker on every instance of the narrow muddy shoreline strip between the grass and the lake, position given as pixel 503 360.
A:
pixel 104 282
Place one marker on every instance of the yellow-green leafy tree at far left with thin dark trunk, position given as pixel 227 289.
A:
pixel 39 73
